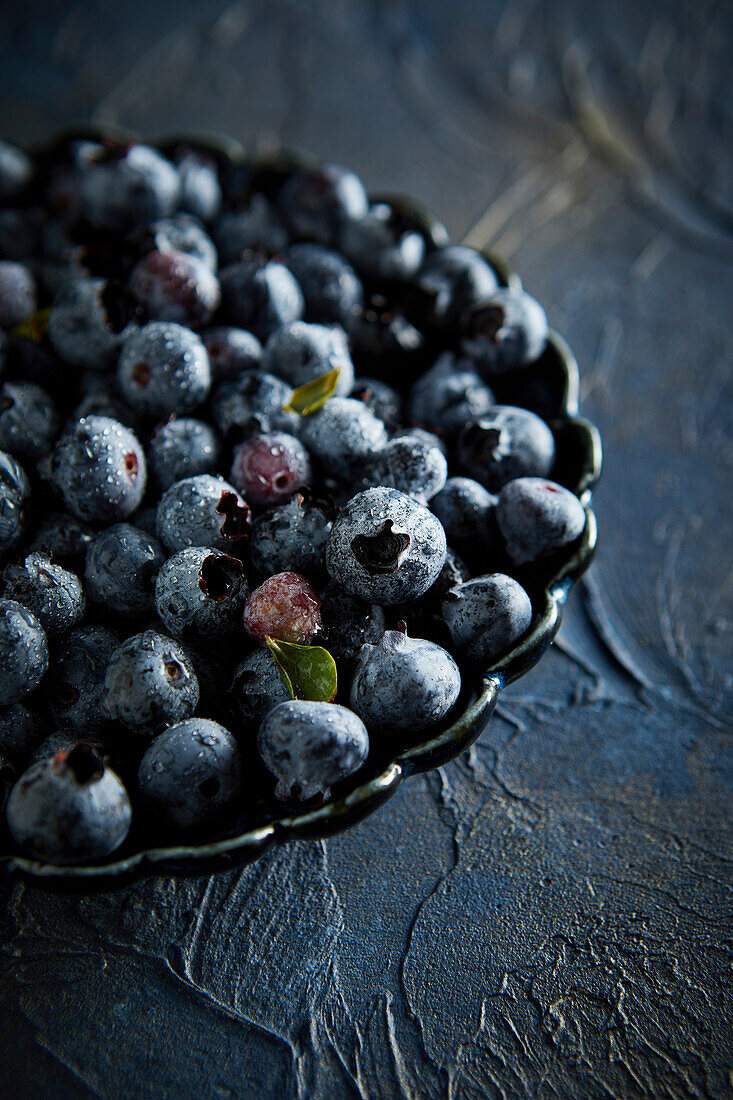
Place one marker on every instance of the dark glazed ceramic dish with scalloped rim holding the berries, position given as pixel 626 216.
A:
pixel 549 388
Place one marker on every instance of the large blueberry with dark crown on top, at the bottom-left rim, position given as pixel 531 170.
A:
pixel 69 809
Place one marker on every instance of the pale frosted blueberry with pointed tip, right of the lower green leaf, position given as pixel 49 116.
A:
pixel 403 685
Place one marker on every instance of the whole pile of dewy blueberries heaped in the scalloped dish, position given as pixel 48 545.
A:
pixel 239 404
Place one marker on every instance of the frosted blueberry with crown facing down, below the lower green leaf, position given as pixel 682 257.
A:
pixel 311 746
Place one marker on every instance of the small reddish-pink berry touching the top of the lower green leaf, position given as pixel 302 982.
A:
pixel 286 607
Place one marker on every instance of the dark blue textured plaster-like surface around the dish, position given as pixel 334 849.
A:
pixel 550 916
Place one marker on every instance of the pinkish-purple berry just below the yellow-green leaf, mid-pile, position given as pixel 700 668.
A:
pixel 269 469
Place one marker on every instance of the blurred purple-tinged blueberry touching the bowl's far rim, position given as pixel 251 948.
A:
pixel 318 202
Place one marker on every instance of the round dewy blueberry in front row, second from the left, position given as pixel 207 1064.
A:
pixel 191 774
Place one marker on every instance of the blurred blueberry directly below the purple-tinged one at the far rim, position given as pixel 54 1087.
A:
pixel 331 287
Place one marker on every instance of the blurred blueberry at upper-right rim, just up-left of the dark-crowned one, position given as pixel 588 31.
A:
pixel 452 282
